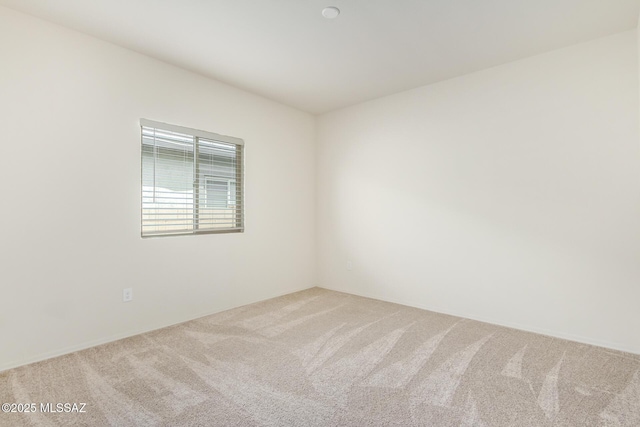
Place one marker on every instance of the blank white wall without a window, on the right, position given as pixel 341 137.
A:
pixel 510 195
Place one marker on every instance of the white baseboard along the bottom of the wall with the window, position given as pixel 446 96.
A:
pixel 133 332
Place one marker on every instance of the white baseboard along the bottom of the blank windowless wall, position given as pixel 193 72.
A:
pixel 526 328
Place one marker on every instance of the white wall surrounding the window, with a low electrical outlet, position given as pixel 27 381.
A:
pixel 70 173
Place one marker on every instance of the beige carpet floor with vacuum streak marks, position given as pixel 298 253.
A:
pixel 323 358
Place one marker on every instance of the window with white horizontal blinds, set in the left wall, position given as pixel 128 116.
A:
pixel 191 181
